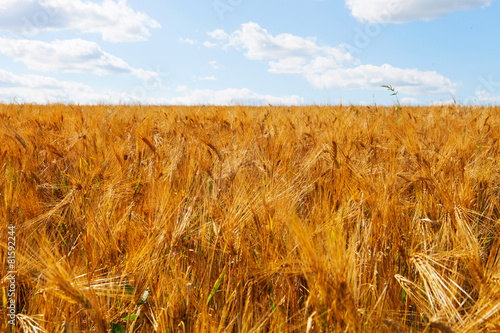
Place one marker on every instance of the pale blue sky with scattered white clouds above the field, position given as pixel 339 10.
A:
pixel 250 52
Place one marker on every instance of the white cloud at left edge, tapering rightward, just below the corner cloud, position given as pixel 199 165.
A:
pixel 68 56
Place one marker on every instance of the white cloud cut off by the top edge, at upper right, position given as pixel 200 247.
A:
pixel 402 11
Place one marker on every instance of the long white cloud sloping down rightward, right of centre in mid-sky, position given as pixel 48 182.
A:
pixel 325 66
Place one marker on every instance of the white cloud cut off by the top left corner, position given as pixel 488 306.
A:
pixel 114 20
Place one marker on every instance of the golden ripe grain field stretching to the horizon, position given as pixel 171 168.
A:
pixel 251 219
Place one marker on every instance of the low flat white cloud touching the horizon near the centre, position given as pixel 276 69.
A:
pixel 230 97
